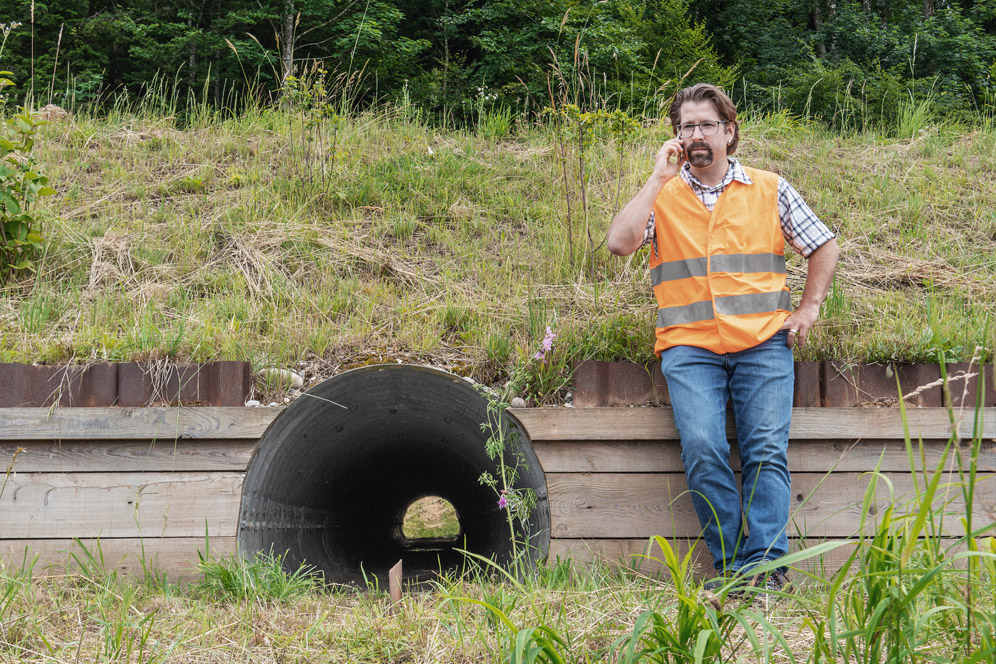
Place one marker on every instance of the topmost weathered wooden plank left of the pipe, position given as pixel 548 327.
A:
pixel 134 423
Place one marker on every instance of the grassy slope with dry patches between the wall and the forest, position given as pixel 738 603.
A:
pixel 431 245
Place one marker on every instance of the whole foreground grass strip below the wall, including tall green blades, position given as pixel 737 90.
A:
pixel 930 608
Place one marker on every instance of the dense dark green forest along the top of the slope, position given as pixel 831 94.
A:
pixel 843 62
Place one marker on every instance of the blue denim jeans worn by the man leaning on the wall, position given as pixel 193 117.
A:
pixel 740 531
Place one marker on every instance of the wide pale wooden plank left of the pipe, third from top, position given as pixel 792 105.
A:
pixel 54 505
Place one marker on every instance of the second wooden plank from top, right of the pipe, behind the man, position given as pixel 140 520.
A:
pixel 658 456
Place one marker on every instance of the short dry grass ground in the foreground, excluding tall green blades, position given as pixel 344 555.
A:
pixel 94 618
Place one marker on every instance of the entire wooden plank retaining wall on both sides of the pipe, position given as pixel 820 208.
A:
pixel 149 482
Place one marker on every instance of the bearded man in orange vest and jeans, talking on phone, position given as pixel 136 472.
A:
pixel 725 327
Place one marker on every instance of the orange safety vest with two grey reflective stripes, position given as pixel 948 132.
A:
pixel 719 278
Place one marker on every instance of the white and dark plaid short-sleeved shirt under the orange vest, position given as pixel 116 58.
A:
pixel 800 226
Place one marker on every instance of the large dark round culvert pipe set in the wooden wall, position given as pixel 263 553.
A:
pixel 330 485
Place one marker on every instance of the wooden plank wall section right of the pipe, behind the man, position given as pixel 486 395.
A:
pixel 615 476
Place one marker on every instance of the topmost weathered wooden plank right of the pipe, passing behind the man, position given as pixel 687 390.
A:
pixel 807 423
